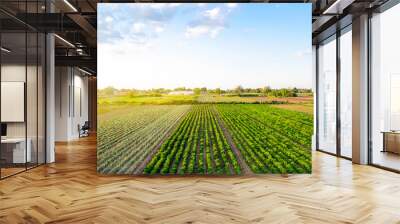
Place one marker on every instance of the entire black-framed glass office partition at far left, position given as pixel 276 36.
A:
pixel 22 101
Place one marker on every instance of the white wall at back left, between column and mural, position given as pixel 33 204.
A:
pixel 71 94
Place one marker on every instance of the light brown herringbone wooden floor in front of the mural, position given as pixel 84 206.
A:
pixel 70 191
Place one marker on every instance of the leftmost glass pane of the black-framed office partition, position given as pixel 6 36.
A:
pixel 14 153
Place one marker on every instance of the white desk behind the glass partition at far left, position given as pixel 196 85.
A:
pixel 18 144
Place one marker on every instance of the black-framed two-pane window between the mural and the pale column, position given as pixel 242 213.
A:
pixel 340 103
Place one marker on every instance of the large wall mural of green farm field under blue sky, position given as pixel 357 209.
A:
pixel 204 89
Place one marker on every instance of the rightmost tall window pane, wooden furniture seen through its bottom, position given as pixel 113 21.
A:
pixel 385 89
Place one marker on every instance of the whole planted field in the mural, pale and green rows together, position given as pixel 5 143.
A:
pixel 203 139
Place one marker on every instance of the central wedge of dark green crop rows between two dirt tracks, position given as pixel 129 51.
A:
pixel 198 146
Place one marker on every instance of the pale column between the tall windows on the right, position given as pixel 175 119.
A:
pixel 360 90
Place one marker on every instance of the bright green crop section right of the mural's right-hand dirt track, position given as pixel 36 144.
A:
pixel 270 140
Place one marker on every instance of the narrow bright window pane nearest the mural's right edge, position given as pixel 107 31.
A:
pixel 327 95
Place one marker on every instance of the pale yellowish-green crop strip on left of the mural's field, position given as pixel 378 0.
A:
pixel 125 141
